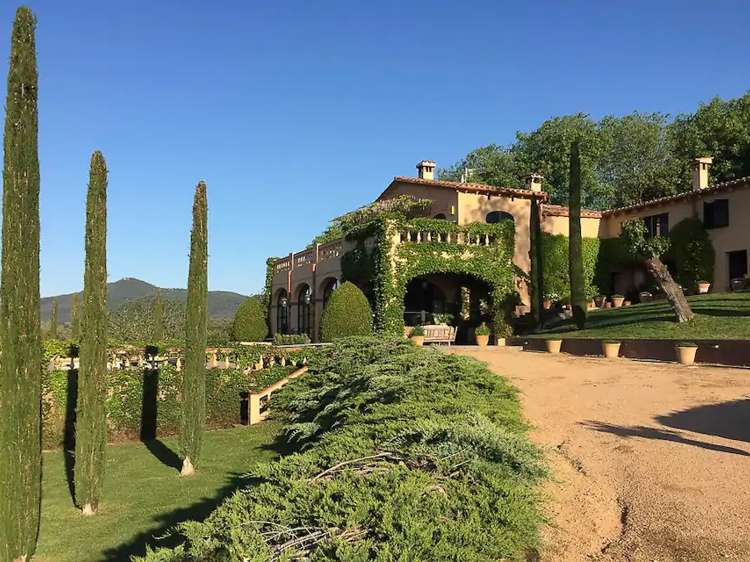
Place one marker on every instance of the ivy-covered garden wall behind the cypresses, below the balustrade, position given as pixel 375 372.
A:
pixel 145 403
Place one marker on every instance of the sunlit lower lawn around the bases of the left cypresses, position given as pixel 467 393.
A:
pixel 144 494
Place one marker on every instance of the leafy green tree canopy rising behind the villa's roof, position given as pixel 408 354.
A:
pixel 624 160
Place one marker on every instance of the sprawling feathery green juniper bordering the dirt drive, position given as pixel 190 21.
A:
pixel 404 453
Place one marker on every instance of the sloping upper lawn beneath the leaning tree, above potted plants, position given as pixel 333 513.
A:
pixel 719 316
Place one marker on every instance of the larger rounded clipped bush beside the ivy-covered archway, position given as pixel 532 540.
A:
pixel 347 314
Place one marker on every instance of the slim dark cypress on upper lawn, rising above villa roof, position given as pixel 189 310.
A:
pixel 575 250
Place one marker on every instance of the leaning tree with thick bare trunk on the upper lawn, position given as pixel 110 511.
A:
pixel 648 251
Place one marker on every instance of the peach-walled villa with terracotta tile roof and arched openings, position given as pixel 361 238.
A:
pixel 303 281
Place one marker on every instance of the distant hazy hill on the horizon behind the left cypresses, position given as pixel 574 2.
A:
pixel 221 304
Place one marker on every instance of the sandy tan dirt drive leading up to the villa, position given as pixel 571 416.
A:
pixel 651 461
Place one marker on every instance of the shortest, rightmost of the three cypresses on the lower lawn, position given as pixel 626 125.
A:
pixel 194 371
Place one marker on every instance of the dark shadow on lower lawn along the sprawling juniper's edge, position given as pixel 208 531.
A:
pixel 161 535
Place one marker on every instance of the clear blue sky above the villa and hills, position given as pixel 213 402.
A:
pixel 295 112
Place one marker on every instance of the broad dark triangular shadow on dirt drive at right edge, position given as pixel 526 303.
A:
pixel 730 420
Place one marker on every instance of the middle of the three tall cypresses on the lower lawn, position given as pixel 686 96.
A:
pixel 91 416
